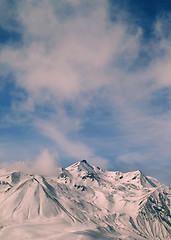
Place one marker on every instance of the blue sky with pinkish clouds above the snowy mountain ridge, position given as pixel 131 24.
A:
pixel 83 79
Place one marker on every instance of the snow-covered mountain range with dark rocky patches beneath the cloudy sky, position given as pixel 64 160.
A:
pixel 83 202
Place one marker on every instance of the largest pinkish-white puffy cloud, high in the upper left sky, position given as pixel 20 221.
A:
pixel 63 60
